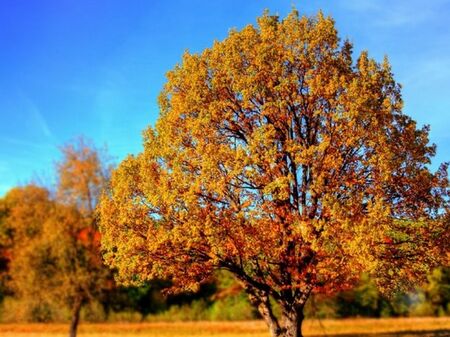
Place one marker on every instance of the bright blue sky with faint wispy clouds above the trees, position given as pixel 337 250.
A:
pixel 95 67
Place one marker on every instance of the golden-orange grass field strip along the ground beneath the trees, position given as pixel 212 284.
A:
pixel 402 327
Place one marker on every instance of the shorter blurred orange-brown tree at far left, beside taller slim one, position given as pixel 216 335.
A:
pixel 30 266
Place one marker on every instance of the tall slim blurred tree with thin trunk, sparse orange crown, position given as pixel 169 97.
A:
pixel 82 175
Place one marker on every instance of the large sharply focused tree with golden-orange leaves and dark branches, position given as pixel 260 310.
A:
pixel 280 159
